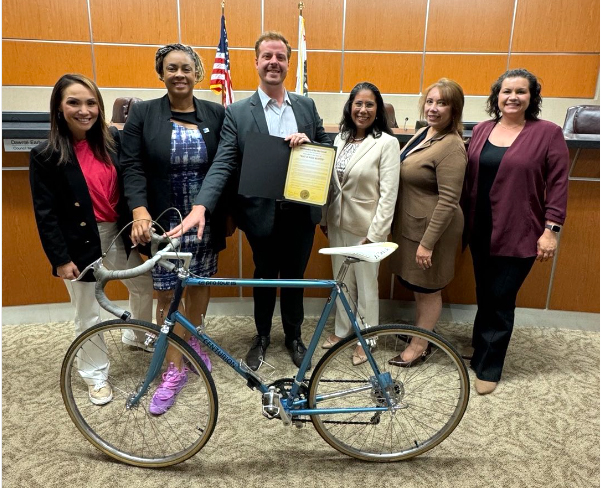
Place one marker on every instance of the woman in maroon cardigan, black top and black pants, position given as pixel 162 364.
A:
pixel 514 201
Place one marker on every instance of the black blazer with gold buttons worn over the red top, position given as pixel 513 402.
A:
pixel 63 209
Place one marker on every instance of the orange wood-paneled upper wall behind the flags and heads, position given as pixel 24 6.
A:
pixel 403 49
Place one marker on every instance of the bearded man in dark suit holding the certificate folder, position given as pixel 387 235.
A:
pixel 280 233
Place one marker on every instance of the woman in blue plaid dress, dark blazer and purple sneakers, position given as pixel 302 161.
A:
pixel 168 146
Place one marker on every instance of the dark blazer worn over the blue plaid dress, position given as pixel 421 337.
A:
pixel 146 157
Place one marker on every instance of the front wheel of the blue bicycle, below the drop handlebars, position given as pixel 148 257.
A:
pixel 130 433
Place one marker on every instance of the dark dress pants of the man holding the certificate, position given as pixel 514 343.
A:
pixel 284 254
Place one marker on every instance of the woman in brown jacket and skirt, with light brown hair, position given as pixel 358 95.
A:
pixel 428 221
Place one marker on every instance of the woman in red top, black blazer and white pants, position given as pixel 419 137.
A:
pixel 75 185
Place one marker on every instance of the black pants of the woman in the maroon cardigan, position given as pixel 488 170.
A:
pixel 498 280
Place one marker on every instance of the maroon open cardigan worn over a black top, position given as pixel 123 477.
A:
pixel 531 187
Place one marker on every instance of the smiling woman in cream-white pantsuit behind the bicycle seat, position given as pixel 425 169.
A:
pixel 362 198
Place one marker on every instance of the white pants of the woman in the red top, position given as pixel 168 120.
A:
pixel 92 362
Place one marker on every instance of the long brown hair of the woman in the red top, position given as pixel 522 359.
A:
pixel 60 138
